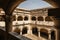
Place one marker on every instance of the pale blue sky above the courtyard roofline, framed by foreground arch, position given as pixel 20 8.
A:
pixel 34 4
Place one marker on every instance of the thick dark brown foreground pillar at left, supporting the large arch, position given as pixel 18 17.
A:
pixel 8 22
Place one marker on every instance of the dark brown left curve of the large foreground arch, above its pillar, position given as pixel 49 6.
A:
pixel 11 5
